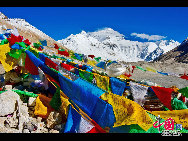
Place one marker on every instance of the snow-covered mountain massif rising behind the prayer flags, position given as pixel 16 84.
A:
pixel 110 44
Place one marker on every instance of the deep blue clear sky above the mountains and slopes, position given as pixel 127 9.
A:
pixel 60 22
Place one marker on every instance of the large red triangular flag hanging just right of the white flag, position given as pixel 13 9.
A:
pixel 164 95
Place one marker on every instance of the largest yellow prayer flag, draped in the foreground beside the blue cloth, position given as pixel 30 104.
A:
pixel 127 112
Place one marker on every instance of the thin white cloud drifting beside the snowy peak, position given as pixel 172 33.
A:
pixel 148 37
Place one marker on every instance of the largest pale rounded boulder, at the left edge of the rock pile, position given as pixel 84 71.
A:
pixel 8 102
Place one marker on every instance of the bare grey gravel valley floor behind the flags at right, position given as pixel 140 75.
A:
pixel 162 80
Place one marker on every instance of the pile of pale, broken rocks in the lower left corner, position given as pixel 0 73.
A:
pixel 18 117
